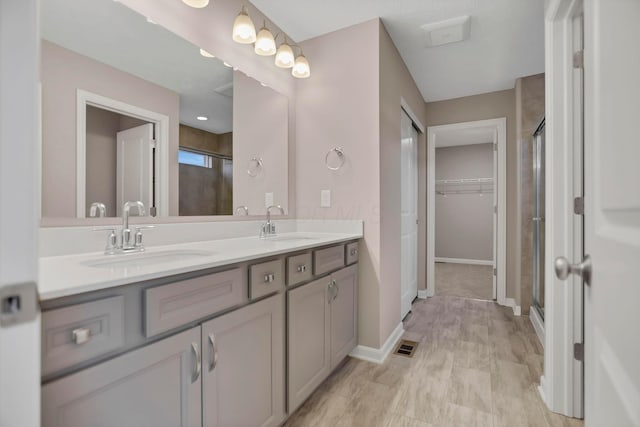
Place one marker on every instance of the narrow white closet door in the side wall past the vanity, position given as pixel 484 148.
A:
pixel 409 214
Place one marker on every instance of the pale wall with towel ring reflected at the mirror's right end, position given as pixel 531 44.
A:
pixel 260 127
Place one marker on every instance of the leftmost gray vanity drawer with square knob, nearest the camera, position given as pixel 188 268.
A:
pixel 71 335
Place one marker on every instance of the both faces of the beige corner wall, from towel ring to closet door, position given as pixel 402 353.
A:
pixel 358 108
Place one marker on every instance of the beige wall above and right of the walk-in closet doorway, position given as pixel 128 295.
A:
pixel 481 107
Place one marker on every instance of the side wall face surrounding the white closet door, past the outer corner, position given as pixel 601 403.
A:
pixel 395 84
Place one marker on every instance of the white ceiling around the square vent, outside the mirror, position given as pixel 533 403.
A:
pixel 507 38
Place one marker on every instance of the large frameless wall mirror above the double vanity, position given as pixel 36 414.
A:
pixel 131 111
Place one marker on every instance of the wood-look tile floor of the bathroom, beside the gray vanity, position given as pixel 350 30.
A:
pixel 476 365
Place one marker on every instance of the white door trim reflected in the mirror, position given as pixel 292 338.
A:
pixel 85 98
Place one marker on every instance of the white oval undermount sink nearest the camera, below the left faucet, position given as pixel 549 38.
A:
pixel 145 259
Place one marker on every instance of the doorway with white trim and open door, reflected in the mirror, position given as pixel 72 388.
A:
pixel 145 162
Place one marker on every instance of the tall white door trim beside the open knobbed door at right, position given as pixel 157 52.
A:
pixel 557 381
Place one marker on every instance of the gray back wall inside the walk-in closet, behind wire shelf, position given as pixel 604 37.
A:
pixel 464 222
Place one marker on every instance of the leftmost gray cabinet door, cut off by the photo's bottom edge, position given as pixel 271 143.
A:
pixel 156 386
